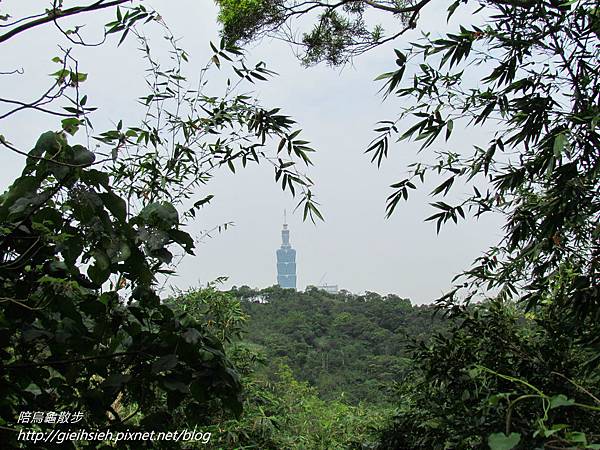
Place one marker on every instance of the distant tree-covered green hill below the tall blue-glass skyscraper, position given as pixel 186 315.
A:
pixel 350 347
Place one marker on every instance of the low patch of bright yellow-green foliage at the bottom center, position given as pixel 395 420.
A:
pixel 282 412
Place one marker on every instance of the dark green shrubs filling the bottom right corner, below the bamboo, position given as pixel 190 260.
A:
pixel 496 380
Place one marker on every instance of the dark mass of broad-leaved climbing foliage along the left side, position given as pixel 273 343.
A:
pixel 81 323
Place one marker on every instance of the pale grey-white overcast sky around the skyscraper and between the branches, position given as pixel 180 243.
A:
pixel 356 247
